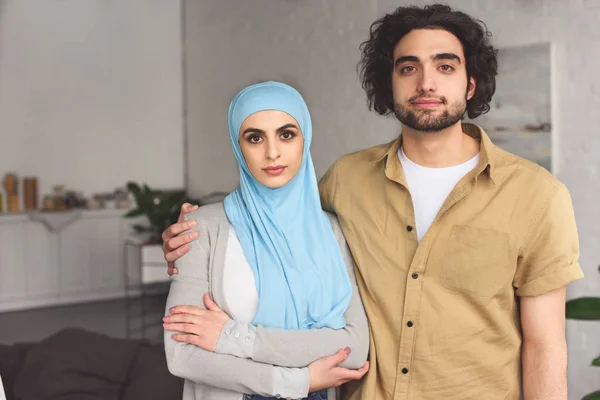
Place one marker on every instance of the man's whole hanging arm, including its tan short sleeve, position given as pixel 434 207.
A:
pixel 548 261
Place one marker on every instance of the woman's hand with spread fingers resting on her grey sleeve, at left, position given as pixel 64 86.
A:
pixel 198 326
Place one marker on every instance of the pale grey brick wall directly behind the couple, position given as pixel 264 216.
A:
pixel 313 45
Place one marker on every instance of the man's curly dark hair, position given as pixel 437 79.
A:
pixel 377 63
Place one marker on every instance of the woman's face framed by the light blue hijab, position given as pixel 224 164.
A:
pixel 272 145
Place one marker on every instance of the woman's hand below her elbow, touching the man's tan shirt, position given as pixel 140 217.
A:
pixel 325 373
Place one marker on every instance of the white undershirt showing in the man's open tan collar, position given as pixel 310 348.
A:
pixel 429 187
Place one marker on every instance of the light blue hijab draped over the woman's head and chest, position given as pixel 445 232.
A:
pixel 299 270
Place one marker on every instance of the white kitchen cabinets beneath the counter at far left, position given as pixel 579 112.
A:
pixel 80 261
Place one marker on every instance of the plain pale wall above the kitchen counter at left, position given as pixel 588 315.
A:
pixel 91 92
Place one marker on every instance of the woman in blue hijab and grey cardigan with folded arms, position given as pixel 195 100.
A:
pixel 277 266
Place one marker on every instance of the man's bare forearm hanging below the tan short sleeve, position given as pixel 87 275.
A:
pixel 544 351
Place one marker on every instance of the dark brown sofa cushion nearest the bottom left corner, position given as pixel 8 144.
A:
pixel 75 364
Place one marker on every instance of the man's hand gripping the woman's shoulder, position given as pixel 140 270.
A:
pixel 175 246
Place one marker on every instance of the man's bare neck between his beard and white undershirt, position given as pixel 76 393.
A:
pixel 441 149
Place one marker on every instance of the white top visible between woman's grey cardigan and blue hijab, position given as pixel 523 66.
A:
pixel 239 286
